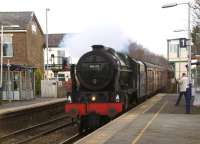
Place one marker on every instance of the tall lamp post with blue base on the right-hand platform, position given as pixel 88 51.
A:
pixel 189 89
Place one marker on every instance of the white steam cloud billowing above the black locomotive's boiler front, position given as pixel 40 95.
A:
pixel 78 44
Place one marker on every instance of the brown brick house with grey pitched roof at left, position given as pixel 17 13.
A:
pixel 23 51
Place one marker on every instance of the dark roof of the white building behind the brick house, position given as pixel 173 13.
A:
pixel 55 40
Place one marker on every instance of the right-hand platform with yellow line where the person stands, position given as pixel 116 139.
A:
pixel 156 121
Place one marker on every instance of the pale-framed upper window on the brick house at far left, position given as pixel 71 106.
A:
pixel 7 45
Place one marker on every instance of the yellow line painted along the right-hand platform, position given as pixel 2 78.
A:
pixel 148 124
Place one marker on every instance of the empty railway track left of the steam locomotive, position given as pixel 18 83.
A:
pixel 37 131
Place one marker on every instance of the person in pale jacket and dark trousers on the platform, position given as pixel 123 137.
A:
pixel 182 87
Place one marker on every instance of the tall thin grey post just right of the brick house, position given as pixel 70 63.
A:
pixel 47 42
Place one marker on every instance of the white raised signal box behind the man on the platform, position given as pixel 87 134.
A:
pixel 177 55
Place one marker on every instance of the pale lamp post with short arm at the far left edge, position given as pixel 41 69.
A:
pixel 2 29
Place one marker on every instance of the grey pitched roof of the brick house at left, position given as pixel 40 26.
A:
pixel 17 18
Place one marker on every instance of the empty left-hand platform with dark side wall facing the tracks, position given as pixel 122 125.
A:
pixel 22 114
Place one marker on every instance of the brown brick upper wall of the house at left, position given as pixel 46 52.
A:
pixel 27 48
